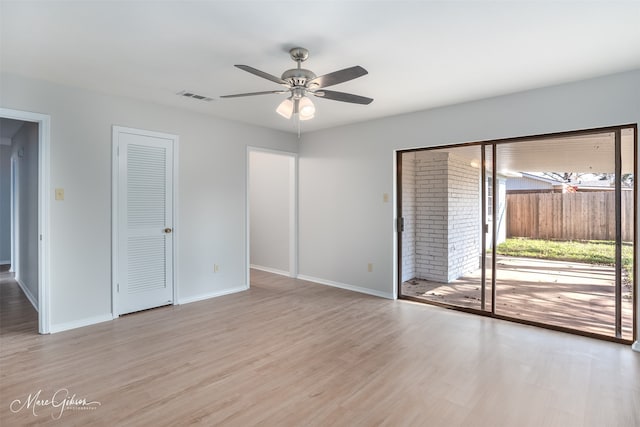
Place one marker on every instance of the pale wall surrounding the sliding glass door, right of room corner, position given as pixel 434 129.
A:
pixel 344 171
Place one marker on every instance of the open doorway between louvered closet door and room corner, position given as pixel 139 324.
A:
pixel 272 212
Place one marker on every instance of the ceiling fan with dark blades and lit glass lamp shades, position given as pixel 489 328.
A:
pixel 300 83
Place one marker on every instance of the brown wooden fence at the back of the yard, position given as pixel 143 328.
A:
pixel 568 216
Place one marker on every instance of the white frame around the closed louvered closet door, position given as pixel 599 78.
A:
pixel 115 173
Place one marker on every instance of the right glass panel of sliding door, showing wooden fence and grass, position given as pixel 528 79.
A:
pixel 558 264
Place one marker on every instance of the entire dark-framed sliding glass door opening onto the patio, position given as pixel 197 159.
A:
pixel 540 230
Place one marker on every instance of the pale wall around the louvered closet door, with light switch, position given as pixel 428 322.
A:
pixel 211 193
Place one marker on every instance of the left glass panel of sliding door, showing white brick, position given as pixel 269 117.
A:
pixel 442 234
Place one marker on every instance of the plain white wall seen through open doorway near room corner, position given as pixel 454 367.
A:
pixel 270 198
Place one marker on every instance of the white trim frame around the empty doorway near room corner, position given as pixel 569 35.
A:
pixel 293 211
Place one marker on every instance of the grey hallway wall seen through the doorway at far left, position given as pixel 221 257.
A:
pixel 24 150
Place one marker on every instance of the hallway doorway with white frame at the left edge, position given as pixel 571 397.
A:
pixel 24 216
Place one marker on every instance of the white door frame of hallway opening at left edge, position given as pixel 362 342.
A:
pixel 44 248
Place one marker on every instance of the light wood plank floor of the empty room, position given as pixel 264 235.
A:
pixel 292 353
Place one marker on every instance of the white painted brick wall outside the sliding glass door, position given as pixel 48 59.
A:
pixel 445 230
